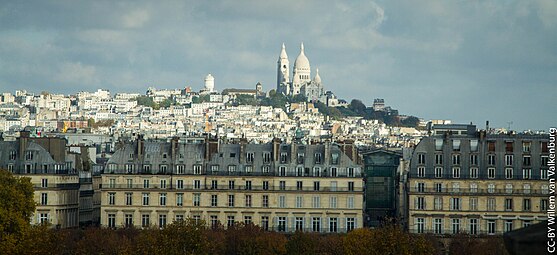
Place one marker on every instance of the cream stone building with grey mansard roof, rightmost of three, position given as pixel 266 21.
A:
pixel 467 181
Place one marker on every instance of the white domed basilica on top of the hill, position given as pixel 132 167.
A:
pixel 301 82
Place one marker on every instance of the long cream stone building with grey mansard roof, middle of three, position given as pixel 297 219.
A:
pixel 282 187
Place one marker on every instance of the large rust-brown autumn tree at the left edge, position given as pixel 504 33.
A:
pixel 16 208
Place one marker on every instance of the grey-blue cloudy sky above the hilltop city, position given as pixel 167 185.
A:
pixel 468 61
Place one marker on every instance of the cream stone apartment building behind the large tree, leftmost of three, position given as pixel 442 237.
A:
pixel 54 173
